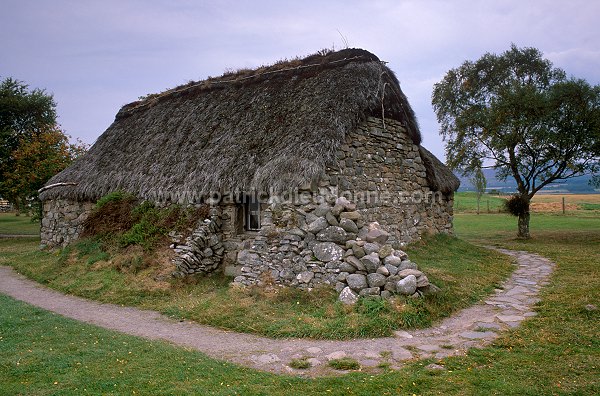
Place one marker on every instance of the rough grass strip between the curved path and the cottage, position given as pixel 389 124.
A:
pixel 462 270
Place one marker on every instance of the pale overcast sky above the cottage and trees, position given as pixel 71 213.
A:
pixel 96 56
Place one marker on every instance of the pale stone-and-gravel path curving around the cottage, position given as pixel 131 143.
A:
pixel 473 327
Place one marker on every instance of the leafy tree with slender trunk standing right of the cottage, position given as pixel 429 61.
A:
pixel 518 114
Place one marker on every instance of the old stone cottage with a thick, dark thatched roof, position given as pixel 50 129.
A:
pixel 272 149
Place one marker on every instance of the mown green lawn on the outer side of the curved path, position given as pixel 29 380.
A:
pixel 556 352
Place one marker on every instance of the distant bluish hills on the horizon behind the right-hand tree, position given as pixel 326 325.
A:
pixel 576 185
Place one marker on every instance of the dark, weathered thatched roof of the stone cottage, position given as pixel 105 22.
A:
pixel 271 128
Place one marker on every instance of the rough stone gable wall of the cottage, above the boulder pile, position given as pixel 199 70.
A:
pixel 381 170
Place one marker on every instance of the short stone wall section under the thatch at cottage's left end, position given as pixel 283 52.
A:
pixel 62 221
